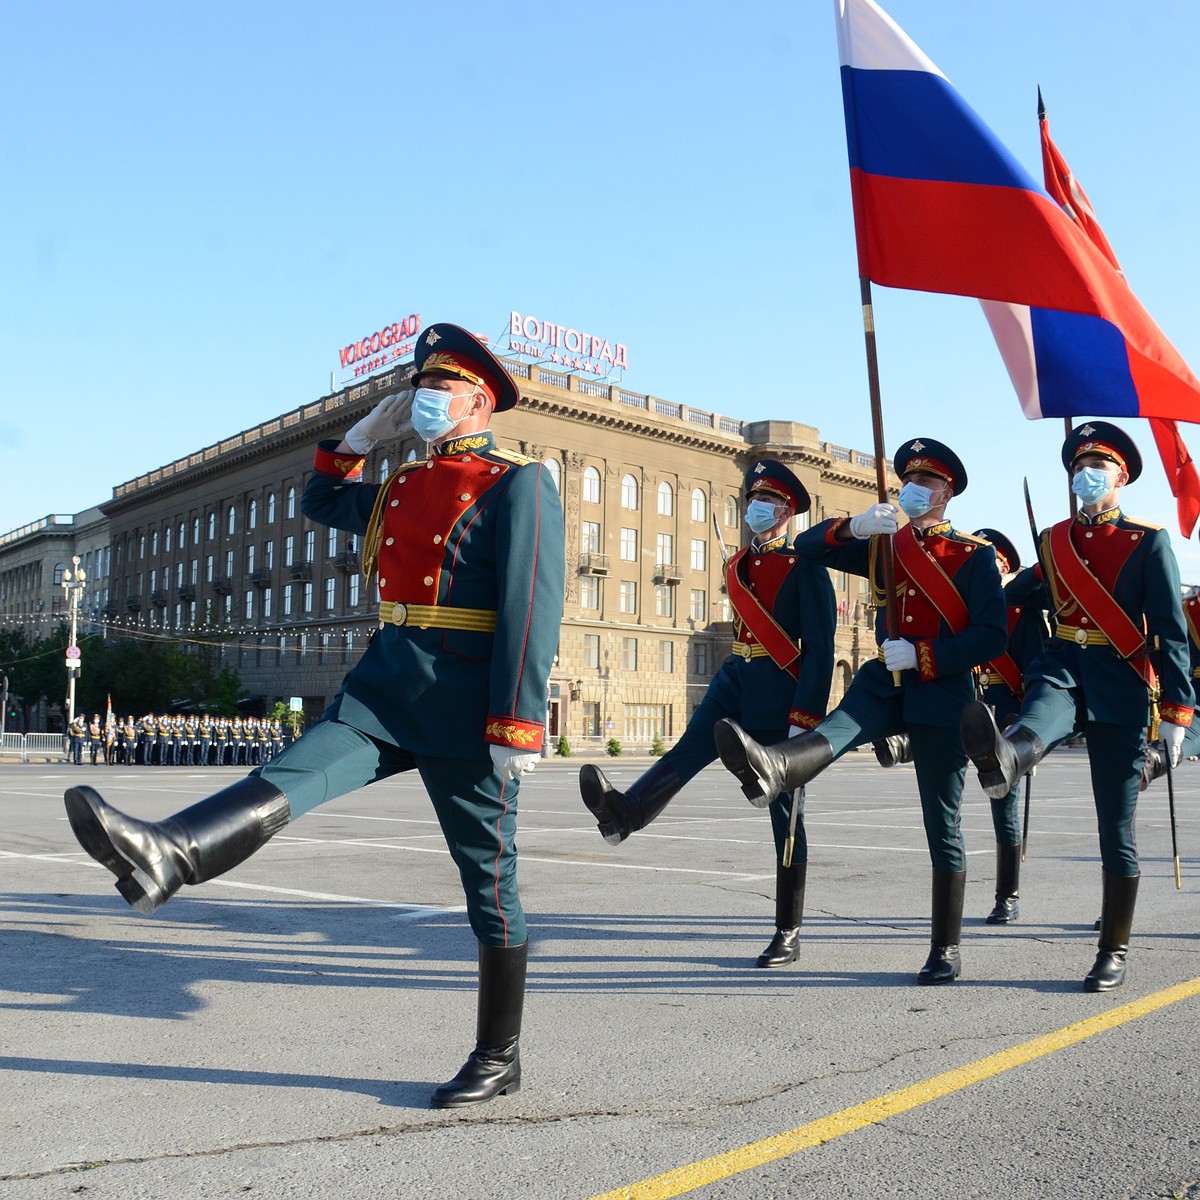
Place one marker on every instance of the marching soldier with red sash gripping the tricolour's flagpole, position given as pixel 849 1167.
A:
pixel 952 616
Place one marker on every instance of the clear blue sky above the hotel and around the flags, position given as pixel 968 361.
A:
pixel 205 202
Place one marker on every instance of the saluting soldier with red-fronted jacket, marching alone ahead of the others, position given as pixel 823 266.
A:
pixel 471 563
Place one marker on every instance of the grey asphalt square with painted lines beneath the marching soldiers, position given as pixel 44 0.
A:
pixel 278 1033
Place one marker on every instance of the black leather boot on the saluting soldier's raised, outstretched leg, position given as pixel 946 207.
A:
pixel 154 861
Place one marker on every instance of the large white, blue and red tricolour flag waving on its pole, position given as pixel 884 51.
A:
pixel 940 206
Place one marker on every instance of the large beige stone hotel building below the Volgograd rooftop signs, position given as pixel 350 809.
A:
pixel 213 549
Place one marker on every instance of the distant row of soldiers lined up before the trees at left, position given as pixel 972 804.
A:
pixel 175 740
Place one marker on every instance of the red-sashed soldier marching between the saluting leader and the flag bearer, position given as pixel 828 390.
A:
pixel 776 681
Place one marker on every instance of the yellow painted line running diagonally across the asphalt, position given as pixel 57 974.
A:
pixel 721 1167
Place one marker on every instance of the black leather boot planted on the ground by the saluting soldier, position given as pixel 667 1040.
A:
pixel 494 1067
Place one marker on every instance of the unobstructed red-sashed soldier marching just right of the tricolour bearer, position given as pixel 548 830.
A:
pixel 1115 590
